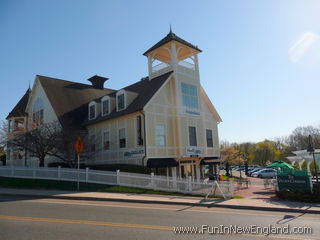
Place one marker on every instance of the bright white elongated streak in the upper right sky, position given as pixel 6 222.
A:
pixel 302 46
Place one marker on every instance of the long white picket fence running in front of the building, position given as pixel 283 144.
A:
pixel 145 181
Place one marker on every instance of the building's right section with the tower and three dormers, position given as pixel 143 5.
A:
pixel 163 121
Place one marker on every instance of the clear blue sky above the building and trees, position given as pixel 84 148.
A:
pixel 260 63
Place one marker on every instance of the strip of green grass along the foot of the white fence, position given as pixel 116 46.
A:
pixel 72 186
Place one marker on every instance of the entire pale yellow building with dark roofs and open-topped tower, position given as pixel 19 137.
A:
pixel 165 120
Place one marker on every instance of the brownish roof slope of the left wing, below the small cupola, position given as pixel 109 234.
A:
pixel 69 99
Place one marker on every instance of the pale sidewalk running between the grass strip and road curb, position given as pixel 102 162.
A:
pixel 249 204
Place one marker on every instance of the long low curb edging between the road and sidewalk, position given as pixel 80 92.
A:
pixel 211 205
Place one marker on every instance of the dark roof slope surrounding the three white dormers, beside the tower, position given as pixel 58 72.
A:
pixel 145 89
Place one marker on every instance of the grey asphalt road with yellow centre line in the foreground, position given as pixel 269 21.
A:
pixel 89 220
